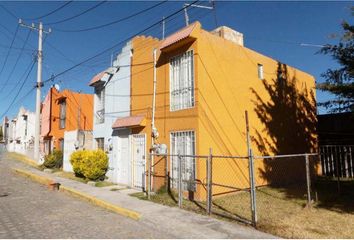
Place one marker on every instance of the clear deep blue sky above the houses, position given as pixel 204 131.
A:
pixel 275 29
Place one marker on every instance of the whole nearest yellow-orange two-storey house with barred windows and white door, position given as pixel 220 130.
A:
pixel 205 81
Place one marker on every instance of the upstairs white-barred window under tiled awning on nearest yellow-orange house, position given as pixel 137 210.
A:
pixel 182 82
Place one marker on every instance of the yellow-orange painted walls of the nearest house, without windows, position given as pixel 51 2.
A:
pixel 226 84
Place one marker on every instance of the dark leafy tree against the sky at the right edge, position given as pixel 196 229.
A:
pixel 340 81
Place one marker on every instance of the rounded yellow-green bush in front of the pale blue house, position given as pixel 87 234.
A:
pixel 90 164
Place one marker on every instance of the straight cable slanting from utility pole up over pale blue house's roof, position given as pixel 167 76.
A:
pixel 115 45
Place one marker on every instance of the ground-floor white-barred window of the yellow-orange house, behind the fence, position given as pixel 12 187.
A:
pixel 173 159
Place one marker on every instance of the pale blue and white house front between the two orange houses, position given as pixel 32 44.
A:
pixel 111 101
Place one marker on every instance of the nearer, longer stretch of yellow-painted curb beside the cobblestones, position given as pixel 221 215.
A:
pixel 120 210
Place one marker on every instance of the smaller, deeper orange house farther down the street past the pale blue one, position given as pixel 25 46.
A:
pixel 64 111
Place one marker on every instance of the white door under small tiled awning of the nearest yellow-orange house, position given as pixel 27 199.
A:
pixel 139 156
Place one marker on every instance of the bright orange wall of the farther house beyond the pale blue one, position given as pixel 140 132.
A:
pixel 73 101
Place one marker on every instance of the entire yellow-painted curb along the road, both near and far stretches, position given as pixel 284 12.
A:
pixel 47 181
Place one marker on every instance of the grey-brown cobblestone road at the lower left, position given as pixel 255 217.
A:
pixel 30 210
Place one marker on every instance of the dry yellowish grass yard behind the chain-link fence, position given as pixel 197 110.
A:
pixel 282 211
